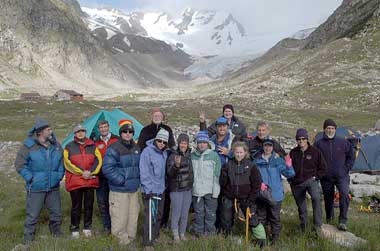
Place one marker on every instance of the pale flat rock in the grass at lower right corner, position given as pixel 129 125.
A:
pixel 346 239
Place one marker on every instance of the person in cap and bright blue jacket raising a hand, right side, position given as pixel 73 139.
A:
pixel 271 167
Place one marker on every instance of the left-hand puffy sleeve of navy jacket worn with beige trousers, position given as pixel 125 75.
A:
pixel 110 165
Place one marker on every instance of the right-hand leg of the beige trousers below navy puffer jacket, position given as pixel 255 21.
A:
pixel 133 214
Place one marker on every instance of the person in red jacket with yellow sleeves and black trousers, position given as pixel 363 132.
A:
pixel 83 162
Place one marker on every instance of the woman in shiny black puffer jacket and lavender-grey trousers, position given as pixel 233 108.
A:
pixel 179 172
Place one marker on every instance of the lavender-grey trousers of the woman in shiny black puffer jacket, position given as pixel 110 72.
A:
pixel 180 210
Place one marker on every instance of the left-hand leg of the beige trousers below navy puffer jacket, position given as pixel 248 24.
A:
pixel 119 212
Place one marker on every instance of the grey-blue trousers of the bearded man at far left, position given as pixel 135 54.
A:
pixel 34 204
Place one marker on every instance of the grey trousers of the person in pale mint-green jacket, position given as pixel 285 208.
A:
pixel 205 214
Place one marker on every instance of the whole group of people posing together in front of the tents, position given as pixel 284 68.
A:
pixel 225 173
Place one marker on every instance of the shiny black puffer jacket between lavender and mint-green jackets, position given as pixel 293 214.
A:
pixel 182 178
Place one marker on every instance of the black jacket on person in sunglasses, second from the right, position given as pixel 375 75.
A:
pixel 308 164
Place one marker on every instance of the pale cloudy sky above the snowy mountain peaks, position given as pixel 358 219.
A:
pixel 257 16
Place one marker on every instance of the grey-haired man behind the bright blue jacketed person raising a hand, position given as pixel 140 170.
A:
pixel 255 145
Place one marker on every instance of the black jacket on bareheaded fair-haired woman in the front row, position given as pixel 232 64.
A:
pixel 241 181
